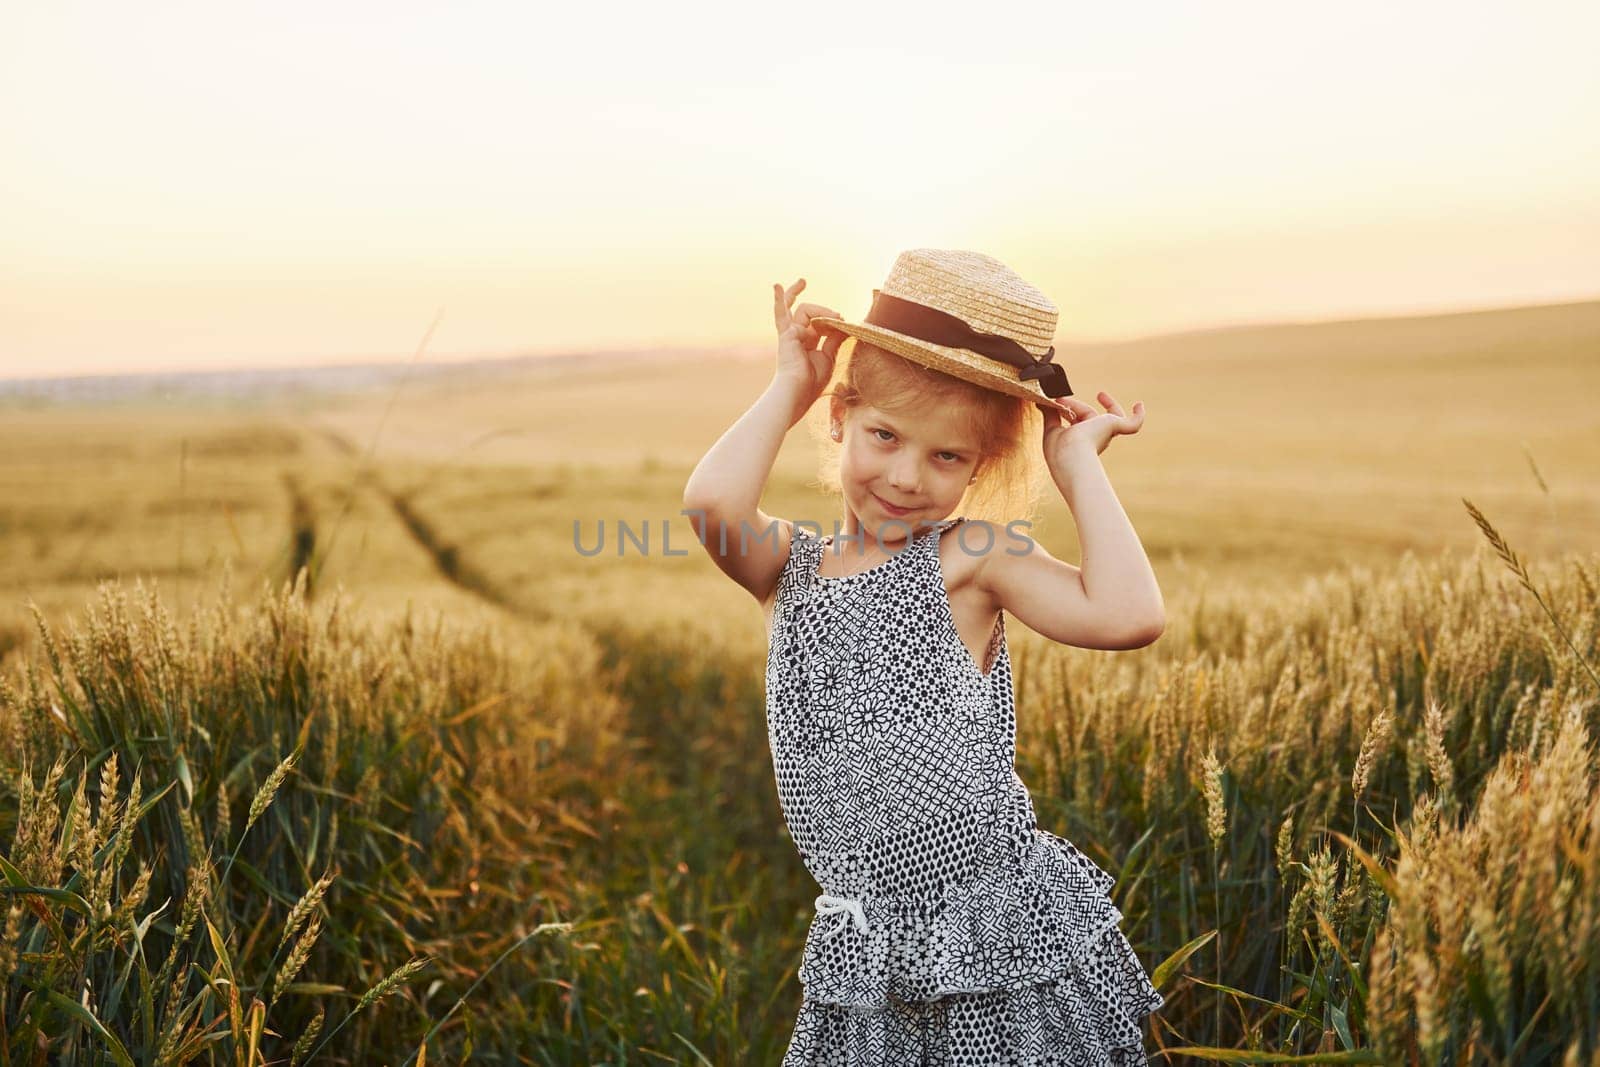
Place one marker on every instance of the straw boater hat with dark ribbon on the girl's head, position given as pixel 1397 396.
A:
pixel 969 316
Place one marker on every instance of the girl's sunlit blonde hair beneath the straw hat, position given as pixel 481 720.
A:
pixel 1012 473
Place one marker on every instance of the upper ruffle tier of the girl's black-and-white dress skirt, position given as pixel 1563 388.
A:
pixel 1041 916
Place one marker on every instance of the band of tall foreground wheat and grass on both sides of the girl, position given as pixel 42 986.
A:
pixel 1356 821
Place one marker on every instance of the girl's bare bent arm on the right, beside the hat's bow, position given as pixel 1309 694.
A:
pixel 1113 602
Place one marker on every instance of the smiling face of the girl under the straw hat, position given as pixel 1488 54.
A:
pixel 919 463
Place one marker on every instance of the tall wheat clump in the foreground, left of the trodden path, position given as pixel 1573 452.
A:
pixel 230 837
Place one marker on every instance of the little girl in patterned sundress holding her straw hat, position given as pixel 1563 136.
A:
pixel 951 929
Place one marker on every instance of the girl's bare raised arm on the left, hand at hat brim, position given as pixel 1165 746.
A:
pixel 722 497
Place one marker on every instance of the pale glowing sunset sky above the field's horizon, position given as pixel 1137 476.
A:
pixel 265 185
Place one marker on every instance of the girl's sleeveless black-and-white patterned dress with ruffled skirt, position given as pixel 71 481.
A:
pixel 951 930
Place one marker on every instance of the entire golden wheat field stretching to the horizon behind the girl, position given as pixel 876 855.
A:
pixel 322 743
